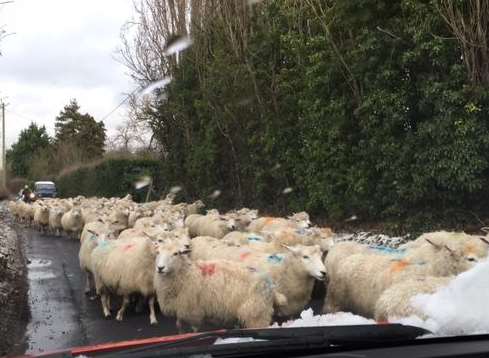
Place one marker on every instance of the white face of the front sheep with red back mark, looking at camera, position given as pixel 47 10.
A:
pixel 170 256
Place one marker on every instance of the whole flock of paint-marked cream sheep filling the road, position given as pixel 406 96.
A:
pixel 239 268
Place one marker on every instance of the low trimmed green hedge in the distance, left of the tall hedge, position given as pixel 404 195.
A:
pixel 110 178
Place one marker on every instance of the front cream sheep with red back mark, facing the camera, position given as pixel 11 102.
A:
pixel 217 290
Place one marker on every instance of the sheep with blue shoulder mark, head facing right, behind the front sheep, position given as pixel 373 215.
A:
pixel 293 272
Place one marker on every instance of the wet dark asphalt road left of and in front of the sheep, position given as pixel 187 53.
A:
pixel 61 315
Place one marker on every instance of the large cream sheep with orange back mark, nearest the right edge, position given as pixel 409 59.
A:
pixel 357 280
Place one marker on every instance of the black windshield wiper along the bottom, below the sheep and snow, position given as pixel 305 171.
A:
pixel 278 339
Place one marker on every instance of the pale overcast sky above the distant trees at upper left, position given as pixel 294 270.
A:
pixel 62 49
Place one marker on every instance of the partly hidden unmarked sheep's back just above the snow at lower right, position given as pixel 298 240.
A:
pixel 396 301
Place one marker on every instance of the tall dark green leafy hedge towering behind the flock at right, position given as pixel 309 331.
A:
pixel 365 109
